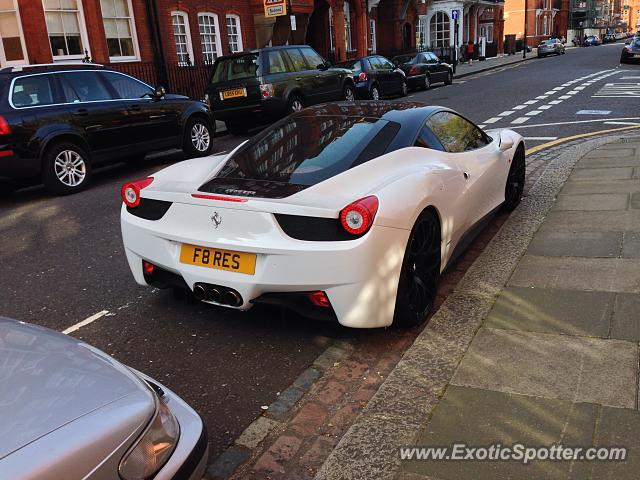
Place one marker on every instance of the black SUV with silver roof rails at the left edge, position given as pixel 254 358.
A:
pixel 58 121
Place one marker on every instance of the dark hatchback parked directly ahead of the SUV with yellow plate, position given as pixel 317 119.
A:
pixel 376 77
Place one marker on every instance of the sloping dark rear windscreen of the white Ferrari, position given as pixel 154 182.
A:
pixel 308 150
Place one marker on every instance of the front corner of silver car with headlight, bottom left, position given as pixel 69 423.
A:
pixel 70 411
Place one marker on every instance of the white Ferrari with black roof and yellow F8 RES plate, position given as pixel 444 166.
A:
pixel 345 211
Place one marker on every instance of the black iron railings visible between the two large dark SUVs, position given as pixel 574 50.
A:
pixel 189 80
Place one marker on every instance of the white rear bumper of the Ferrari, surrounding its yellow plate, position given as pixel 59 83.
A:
pixel 360 276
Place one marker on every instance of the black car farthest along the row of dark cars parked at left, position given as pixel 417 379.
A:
pixel 424 69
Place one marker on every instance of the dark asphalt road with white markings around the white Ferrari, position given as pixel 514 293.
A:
pixel 62 260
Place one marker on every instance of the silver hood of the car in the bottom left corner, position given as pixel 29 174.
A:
pixel 48 380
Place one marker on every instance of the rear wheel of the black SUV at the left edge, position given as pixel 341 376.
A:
pixel 66 168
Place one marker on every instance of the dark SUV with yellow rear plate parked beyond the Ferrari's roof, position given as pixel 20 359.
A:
pixel 258 86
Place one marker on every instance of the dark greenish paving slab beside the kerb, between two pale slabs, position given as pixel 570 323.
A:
pixel 567 312
